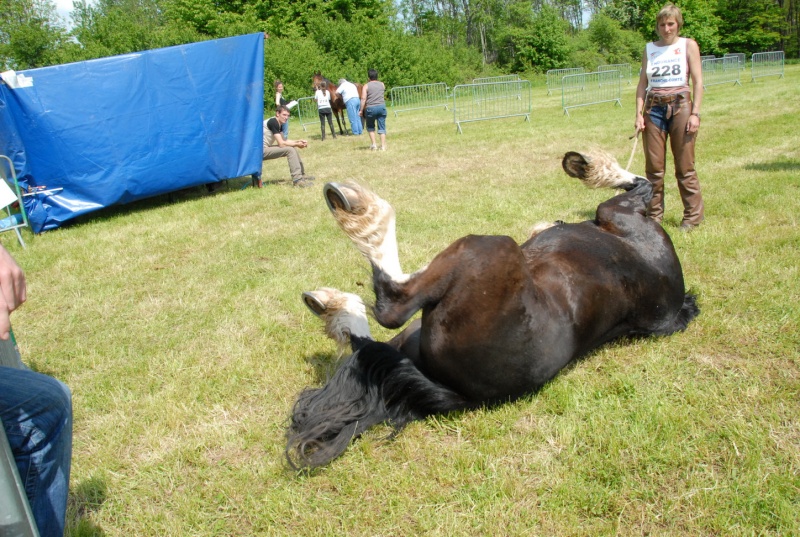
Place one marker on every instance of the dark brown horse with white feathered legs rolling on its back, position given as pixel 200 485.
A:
pixel 499 319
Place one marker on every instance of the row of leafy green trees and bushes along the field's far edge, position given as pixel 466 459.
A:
pixel 408 41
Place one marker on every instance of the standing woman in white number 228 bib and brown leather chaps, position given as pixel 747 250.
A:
pixel 665 109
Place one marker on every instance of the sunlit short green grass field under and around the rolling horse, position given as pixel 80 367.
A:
pixel 179 327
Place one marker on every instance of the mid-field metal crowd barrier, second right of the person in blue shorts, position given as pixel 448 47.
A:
pixel 495 100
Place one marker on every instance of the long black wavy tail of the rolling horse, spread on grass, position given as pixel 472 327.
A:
pixel 375 384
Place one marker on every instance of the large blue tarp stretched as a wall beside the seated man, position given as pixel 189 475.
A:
pixel 124 128
